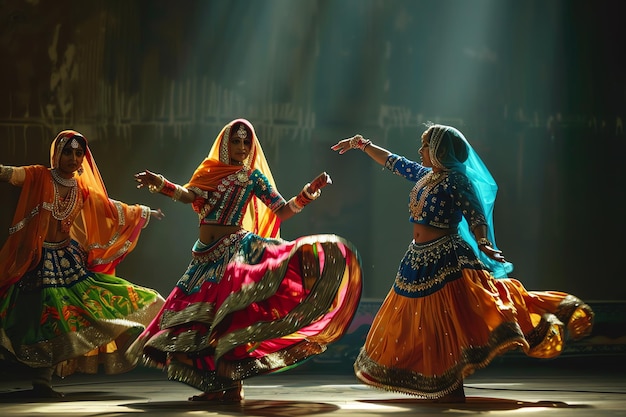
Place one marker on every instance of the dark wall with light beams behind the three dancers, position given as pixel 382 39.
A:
pixel 537 87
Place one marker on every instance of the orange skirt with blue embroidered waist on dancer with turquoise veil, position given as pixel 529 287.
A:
pixel 445 317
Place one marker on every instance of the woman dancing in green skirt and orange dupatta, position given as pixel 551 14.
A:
pixel 61 306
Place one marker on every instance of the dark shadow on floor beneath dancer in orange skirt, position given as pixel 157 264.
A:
pixel 477 404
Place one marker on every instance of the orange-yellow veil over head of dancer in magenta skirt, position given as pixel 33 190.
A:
pixel 208 175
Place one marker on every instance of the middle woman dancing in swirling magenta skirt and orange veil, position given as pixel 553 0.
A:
pixel 249 303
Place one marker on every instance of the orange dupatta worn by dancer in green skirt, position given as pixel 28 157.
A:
pixel 106 229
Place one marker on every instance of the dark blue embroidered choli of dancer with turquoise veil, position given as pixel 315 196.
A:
pixel 438 199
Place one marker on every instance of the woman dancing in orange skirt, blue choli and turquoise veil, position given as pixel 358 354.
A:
pixel 452 307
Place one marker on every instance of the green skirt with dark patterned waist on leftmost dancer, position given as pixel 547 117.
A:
pixel 63 316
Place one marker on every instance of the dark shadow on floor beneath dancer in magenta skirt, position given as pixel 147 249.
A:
pixel 259 408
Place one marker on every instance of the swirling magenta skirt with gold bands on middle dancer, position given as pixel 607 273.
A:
pixel 248 306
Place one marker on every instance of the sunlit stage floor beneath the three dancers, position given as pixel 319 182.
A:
pixel 569 388
